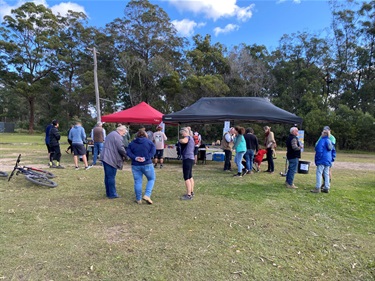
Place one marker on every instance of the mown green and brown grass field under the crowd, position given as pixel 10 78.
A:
pixel 250 228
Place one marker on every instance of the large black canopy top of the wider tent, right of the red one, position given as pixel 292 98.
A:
pixel 213 110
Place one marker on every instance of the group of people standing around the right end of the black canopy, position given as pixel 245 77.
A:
pixel 247 147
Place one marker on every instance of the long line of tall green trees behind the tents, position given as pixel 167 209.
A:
pixel 46 69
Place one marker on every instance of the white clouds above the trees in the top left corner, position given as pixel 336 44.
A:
pixel 62 8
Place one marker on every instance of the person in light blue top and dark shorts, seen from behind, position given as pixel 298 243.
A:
pixel 78 136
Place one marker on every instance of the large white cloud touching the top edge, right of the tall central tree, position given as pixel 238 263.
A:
pixel 215 9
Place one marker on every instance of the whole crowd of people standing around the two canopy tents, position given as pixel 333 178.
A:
pixel 146 150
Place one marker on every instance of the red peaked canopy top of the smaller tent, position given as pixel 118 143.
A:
pixel 139 114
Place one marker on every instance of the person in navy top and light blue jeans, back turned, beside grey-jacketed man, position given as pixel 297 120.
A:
pixel 141 151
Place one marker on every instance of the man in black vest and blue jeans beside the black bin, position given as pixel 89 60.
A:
pixel 293 154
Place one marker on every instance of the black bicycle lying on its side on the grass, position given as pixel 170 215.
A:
pixel 34 175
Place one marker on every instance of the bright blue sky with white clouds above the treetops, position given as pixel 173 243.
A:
pixel 229 22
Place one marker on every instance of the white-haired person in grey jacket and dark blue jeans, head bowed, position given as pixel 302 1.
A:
pixel 112 157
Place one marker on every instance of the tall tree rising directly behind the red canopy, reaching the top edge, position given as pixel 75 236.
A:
pixel 148 50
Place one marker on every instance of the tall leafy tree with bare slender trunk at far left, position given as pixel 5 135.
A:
pixel 29 47
